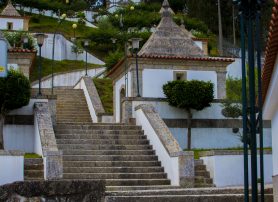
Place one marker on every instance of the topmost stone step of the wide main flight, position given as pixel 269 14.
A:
pixel 97 127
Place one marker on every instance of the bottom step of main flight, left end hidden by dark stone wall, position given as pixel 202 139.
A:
pixel 136 182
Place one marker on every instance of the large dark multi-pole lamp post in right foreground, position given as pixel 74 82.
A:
pixel 250 14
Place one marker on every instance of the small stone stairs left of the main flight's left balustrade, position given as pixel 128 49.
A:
pixel 33 169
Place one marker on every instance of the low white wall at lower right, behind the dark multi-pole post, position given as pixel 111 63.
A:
pixel 227 170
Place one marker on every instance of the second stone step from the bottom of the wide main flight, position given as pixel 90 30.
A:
pixel 114 175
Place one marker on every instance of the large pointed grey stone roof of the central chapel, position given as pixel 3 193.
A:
pixel 170 40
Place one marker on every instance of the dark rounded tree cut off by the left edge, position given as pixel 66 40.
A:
pixel 15 92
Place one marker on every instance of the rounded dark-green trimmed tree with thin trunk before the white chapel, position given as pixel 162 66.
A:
pixel 189 95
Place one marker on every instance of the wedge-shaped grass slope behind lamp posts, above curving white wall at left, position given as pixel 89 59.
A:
pixel 59 67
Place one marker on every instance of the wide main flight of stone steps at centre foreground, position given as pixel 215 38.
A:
pixel 118 153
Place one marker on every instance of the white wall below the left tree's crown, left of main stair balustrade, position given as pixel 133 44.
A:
pixel 19 137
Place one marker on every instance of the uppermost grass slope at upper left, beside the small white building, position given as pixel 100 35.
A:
pixel 39 23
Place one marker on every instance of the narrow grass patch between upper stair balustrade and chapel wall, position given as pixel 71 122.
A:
pixel 105 91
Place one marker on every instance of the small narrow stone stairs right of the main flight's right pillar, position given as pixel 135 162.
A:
pixel 202 176
